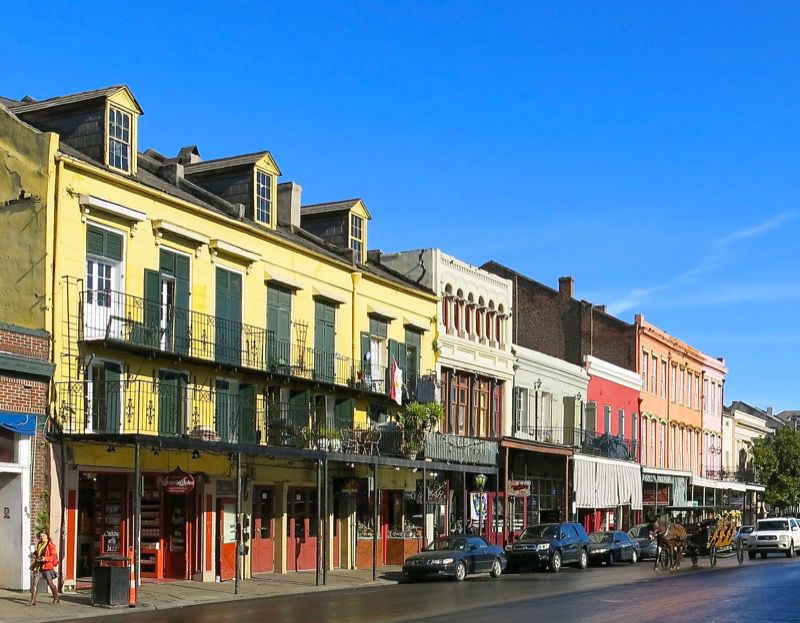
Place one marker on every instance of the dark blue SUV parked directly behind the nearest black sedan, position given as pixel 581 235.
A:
pixel 549 546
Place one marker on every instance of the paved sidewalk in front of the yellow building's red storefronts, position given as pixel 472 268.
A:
pixel 160 595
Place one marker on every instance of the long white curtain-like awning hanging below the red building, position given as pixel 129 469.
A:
pixel 605 483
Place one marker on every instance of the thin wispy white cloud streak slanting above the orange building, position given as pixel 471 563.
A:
pixel 722 250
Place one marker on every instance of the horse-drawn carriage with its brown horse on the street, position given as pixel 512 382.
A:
pixel 713 538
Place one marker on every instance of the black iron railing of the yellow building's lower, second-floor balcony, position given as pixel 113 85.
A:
pixel 171 407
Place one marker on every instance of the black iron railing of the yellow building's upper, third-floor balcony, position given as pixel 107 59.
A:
pixel 113 316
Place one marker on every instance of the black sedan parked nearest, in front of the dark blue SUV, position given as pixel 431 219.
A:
pixel 456 557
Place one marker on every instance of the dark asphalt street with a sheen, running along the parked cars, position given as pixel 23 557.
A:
pixel 759 590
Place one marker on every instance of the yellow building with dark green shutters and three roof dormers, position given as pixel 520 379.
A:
pixel 228 361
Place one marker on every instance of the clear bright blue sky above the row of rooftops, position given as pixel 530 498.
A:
pixel 649 149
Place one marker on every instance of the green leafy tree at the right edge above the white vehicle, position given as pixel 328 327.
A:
pixel 777 458
